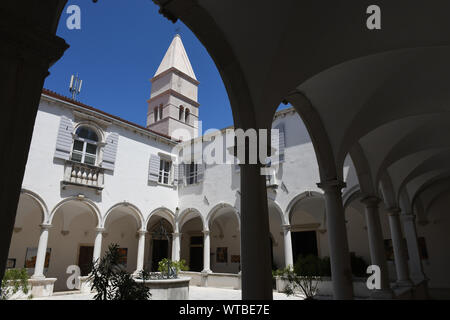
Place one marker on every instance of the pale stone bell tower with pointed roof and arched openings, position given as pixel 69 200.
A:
pixel 173 100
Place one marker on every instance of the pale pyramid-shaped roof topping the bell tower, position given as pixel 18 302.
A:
pixel 176 57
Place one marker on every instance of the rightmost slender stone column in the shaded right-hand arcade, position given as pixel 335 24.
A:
pixel 415 263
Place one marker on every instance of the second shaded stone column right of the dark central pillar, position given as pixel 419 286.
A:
pixel 376 246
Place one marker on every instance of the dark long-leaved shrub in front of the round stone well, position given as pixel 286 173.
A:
pixel 113 282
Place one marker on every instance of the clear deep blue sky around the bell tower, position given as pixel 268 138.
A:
pixel 117 51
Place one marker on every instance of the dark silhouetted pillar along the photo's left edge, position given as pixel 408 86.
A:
pixel 28 47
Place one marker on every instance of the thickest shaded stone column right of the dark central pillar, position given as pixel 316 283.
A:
pixel 341 273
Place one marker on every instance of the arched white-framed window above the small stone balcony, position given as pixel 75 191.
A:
pixel 85 146
